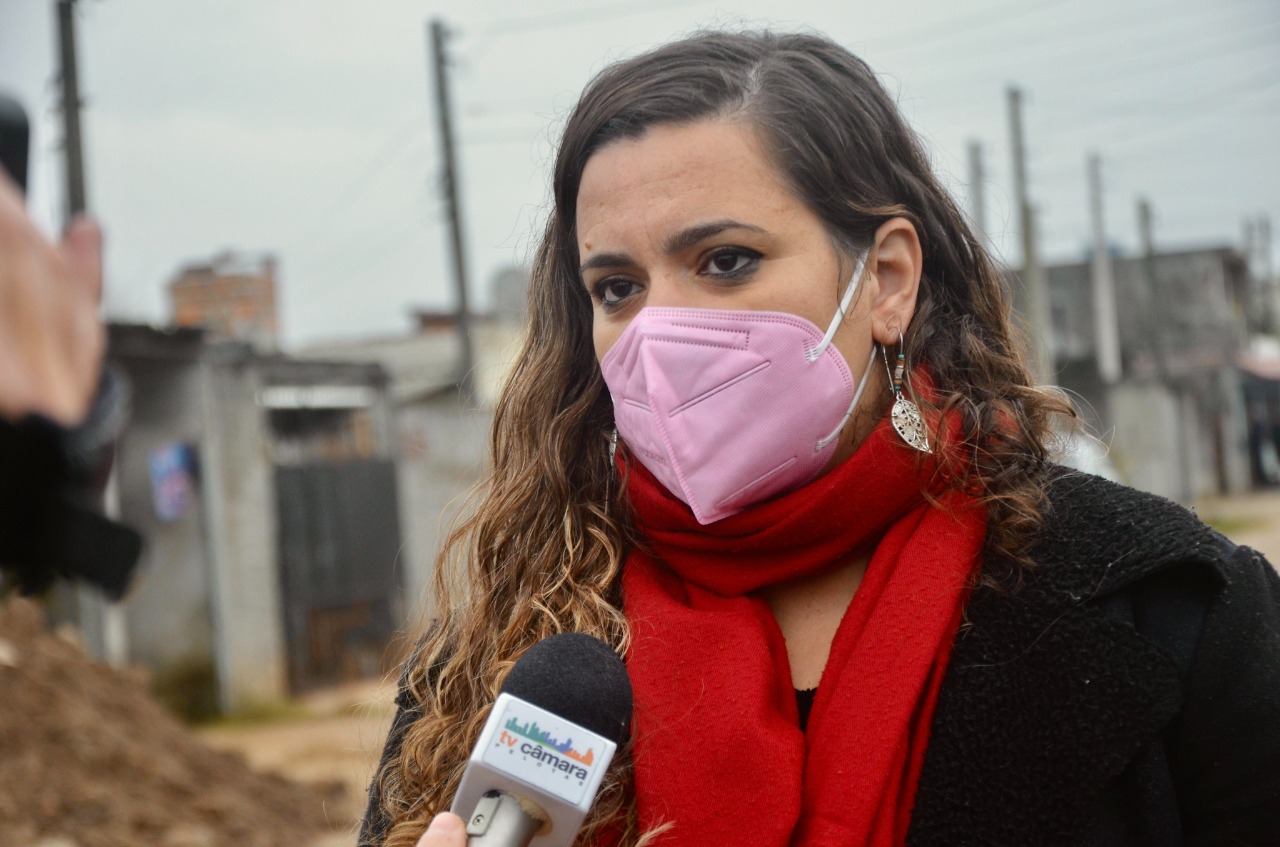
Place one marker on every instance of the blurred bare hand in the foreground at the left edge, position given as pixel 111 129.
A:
pixel 52 338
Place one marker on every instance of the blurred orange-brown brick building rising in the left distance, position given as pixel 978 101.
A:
pixel 232 297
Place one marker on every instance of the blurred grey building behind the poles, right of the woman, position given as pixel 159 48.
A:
pixel 1174 416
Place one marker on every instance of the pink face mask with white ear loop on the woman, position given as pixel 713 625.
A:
pixel 729 409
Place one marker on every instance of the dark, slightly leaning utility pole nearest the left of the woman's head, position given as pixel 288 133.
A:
pixel 438 38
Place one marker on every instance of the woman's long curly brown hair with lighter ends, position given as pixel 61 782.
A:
pixel 543 551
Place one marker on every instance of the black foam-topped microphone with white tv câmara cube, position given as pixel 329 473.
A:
pixel 560 717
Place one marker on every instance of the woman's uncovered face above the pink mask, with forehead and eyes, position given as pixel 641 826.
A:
pixel 697 217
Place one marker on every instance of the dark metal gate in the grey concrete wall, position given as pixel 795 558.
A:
pixel 340 538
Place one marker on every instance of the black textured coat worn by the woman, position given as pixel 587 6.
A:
pixel 1128 693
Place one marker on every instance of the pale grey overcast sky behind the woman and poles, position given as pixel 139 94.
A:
pixel 305 127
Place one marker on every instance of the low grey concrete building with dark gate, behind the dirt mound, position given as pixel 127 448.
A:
pixel 266 489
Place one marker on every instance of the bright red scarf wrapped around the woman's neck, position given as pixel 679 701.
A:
pixel 719 750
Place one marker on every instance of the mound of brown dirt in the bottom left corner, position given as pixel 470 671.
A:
pixel 89 758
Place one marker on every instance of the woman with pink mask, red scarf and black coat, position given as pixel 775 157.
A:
pixel 830 544
